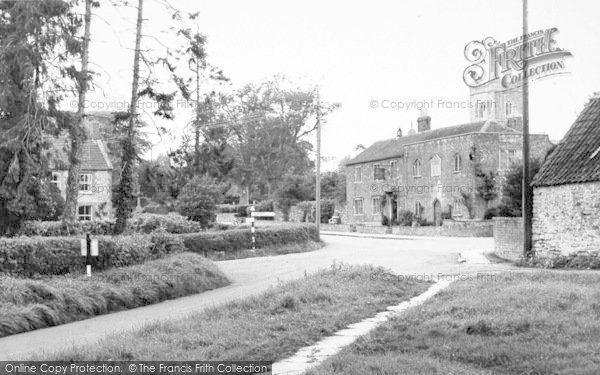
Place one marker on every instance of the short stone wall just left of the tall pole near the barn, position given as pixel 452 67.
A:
pixel 508 237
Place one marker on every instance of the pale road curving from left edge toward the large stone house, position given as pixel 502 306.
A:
pixel 420 257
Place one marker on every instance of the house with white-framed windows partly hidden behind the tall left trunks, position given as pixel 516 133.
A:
pixel 95 178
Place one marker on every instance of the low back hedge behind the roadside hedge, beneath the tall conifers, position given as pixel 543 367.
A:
pixel 142 223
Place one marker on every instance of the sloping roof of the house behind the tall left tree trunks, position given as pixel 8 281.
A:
pixel 94 156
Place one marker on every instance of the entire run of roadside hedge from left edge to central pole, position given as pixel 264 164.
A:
pixel 34 256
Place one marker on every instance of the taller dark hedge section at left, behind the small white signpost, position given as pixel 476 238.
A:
pixel 31 256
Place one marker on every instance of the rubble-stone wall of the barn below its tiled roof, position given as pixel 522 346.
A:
pixel 566 219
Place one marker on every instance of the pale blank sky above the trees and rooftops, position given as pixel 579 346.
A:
pixel 358 53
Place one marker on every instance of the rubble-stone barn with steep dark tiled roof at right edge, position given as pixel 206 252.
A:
pixel 566 204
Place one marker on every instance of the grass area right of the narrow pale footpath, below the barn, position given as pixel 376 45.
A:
pixel 520 323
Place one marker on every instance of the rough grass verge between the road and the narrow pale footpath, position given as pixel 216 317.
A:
pixel 271 326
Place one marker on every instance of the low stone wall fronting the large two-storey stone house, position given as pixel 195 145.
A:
pixel 471 228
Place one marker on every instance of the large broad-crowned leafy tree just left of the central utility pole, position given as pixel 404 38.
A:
pixel 269 124
